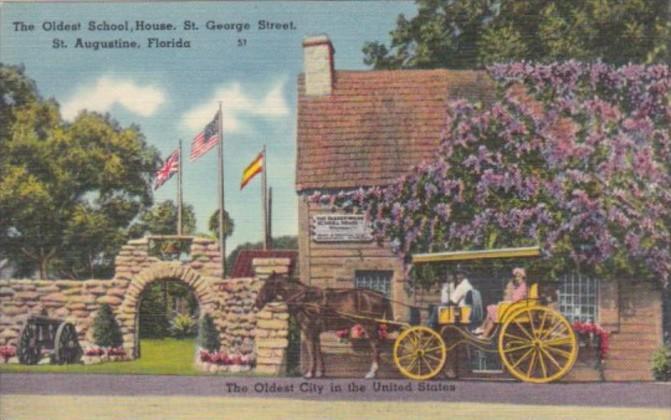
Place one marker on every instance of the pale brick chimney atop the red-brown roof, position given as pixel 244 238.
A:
pixel 318 65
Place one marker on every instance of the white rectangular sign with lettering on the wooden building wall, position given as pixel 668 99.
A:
pixel 340 228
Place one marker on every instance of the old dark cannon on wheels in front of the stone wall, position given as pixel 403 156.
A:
pixel 55 336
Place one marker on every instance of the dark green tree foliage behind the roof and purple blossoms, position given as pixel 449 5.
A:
pixel 469 34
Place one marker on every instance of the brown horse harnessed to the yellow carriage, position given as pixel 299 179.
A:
pixel 317 310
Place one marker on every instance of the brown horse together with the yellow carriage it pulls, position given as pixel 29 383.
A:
pixel 534 341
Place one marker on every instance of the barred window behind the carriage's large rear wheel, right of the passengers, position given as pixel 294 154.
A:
pixel 578 297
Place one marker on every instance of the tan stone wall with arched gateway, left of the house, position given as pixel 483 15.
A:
pixel 229 301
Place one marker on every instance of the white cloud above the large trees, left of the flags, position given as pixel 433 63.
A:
pixel 106 92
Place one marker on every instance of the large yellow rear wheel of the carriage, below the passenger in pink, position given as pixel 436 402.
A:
pixel 537 345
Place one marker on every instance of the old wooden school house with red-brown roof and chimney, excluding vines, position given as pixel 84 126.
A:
pixel 366 128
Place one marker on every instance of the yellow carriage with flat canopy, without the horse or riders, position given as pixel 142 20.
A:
pixel 534 341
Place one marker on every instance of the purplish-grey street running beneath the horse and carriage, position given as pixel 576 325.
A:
pixel 657 395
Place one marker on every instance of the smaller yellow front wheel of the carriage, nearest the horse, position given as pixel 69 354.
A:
pixel 420 353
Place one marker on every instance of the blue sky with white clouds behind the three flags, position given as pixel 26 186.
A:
pixel 171 93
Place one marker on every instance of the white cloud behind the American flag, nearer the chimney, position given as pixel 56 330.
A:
pixel 237 103
